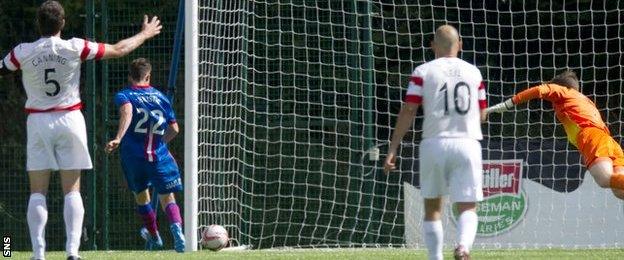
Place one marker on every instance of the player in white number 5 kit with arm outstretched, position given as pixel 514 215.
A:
pixel 56 132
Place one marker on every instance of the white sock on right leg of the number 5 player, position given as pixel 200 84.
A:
pixel 73 212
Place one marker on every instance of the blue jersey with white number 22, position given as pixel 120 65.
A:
pixel 151 115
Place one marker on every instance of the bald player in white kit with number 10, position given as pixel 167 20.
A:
pixel 452 94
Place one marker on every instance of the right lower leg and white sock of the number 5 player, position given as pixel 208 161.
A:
pixel 73 210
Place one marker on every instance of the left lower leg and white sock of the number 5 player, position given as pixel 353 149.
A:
pixel 37 214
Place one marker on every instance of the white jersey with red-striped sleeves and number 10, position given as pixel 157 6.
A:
pixel 451 92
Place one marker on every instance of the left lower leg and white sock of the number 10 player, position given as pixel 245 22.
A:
pixel 433 232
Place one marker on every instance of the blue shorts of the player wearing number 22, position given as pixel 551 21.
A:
pixel 163 175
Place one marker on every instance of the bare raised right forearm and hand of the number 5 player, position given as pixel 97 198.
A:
pixel 125 46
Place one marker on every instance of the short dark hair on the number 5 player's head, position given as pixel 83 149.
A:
pixel 50 16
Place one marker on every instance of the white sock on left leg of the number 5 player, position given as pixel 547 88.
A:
pixel 37 216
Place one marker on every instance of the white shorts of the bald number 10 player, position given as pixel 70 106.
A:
pixel 451 163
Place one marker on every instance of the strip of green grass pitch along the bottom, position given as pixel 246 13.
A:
pixel 333 254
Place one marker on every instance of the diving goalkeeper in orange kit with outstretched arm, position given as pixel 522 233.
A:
pixel 583 125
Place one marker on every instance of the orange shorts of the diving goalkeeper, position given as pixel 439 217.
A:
pixel 595 142
